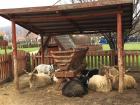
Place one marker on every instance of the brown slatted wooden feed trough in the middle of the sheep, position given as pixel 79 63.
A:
pixel 69 62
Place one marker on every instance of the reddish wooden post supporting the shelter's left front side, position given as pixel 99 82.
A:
pixel 14 46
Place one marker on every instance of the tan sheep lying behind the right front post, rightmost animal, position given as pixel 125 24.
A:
pixel 129 82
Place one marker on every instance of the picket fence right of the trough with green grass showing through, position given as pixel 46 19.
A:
pixel 96 59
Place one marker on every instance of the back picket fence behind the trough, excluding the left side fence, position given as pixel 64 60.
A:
pixel 95 59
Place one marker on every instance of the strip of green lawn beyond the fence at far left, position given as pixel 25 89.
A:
pixel 24 49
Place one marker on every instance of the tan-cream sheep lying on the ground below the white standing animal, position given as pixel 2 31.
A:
pixel 39 80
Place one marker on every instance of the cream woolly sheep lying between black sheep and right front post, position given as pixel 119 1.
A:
pixel 100 83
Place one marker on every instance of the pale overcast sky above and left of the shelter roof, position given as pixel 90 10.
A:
pixel 4 4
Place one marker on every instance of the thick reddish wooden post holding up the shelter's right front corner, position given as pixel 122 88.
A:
pixel 120 52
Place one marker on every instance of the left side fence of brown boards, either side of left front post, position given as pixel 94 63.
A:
pixel 6 65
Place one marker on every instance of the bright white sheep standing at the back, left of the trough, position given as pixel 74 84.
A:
pixel 44 68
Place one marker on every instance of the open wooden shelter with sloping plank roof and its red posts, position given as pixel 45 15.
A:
pixel 86 18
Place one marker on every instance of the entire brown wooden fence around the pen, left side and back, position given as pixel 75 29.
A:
pixel 93 59
